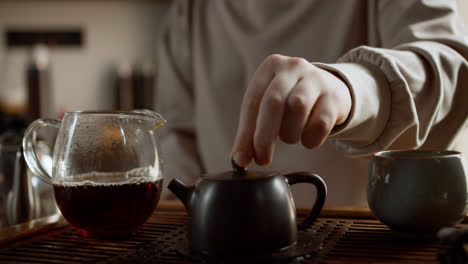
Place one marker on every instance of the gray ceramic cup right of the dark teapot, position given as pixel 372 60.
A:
pixel 417 192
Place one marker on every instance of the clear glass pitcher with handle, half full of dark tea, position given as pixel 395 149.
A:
pixel 106 173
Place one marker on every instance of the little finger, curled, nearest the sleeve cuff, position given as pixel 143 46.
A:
pixel 320 123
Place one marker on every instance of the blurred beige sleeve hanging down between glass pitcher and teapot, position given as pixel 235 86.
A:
pixel 178 149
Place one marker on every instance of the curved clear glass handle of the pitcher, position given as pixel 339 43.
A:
pixel 30 144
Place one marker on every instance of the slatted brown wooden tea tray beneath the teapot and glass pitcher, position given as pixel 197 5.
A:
pixel 350 235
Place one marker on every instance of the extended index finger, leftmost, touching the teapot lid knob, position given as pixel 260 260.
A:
pixel 243 150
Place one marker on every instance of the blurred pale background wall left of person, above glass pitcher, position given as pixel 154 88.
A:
pixel 106 39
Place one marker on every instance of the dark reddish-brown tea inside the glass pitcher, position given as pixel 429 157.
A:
pixel 111 209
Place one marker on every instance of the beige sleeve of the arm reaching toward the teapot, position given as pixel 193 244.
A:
pixel 409 91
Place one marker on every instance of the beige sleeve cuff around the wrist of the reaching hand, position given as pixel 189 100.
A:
pixel 371 98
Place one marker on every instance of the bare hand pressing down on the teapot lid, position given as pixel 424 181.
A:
pixel 290 98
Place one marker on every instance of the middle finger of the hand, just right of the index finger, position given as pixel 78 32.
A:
pixel 270 116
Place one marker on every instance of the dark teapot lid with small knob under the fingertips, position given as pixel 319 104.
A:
pixel 239 173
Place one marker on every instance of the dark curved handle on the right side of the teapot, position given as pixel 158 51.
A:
pixel 307 177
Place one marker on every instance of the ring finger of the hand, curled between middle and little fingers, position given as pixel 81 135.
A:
pixel 298 107
